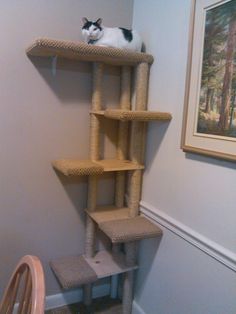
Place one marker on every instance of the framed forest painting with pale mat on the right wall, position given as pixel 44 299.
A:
pixel 209 125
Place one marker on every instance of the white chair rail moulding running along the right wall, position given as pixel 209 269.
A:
pixel 216 251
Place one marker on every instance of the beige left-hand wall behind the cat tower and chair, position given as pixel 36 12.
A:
pixel 44 117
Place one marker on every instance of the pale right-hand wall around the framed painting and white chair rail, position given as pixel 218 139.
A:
pixel 192 268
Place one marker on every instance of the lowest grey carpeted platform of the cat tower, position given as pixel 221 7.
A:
pixel 73 271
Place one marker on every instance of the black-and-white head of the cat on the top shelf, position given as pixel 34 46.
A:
pixel 92 30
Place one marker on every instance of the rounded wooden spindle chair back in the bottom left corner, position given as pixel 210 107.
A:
pixel 26 288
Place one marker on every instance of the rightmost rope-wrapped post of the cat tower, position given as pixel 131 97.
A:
pixel 137 141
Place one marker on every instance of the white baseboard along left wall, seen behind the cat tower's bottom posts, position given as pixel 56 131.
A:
pixel 74 296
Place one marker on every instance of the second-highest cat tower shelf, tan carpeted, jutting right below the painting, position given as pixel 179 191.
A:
pixel 137 115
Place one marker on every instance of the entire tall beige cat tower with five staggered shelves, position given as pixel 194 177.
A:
pixel 121 223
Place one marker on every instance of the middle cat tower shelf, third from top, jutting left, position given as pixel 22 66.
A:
pixel 77 167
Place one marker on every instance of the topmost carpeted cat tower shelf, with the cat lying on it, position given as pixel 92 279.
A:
pixel 47 47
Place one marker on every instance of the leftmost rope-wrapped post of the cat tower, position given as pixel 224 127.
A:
pixel 98 69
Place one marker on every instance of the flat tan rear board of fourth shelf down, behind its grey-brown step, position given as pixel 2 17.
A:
pixel 108 213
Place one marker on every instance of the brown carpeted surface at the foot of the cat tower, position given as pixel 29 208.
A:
pixel 100 306
